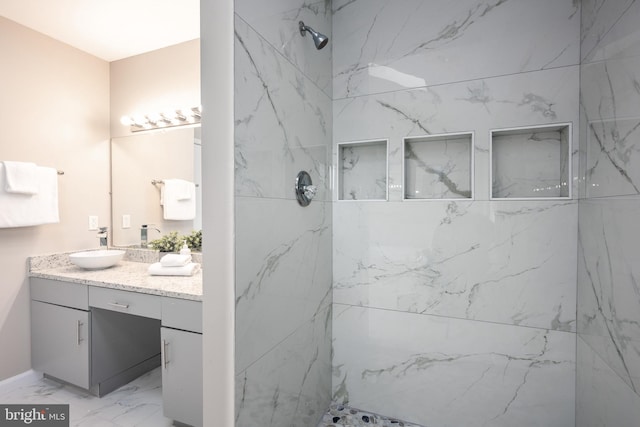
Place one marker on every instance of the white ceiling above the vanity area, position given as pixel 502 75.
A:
pixel 109 29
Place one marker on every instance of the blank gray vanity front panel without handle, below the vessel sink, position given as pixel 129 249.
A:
pixel 66 294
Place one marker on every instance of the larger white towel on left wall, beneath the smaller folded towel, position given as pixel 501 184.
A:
pixel 16 210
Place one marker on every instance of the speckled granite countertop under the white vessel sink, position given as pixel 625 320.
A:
pixel 126 275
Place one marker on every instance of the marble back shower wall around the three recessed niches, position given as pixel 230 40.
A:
pixel 455 312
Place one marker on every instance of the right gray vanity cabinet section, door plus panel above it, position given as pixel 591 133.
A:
pixel 181 336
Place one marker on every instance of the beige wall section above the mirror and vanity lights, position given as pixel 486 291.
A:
pixel 154 82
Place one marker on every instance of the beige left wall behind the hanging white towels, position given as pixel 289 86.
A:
pixel 54 111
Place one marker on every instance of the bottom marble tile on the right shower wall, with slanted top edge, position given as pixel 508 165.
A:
pixel 602 398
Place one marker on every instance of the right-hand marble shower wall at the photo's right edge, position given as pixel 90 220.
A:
pixel 608 323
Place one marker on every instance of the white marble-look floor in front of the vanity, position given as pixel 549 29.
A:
pixel 137 404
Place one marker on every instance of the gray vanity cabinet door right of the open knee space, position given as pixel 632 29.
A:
pixel 182 376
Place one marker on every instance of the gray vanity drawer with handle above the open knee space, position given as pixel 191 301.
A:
pixel 125 302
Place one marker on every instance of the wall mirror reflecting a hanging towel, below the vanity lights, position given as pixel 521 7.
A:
pixel 139 159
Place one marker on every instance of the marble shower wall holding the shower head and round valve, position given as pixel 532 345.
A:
pixel 283 251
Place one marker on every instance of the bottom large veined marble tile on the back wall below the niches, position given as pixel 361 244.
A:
pixel 440 371
